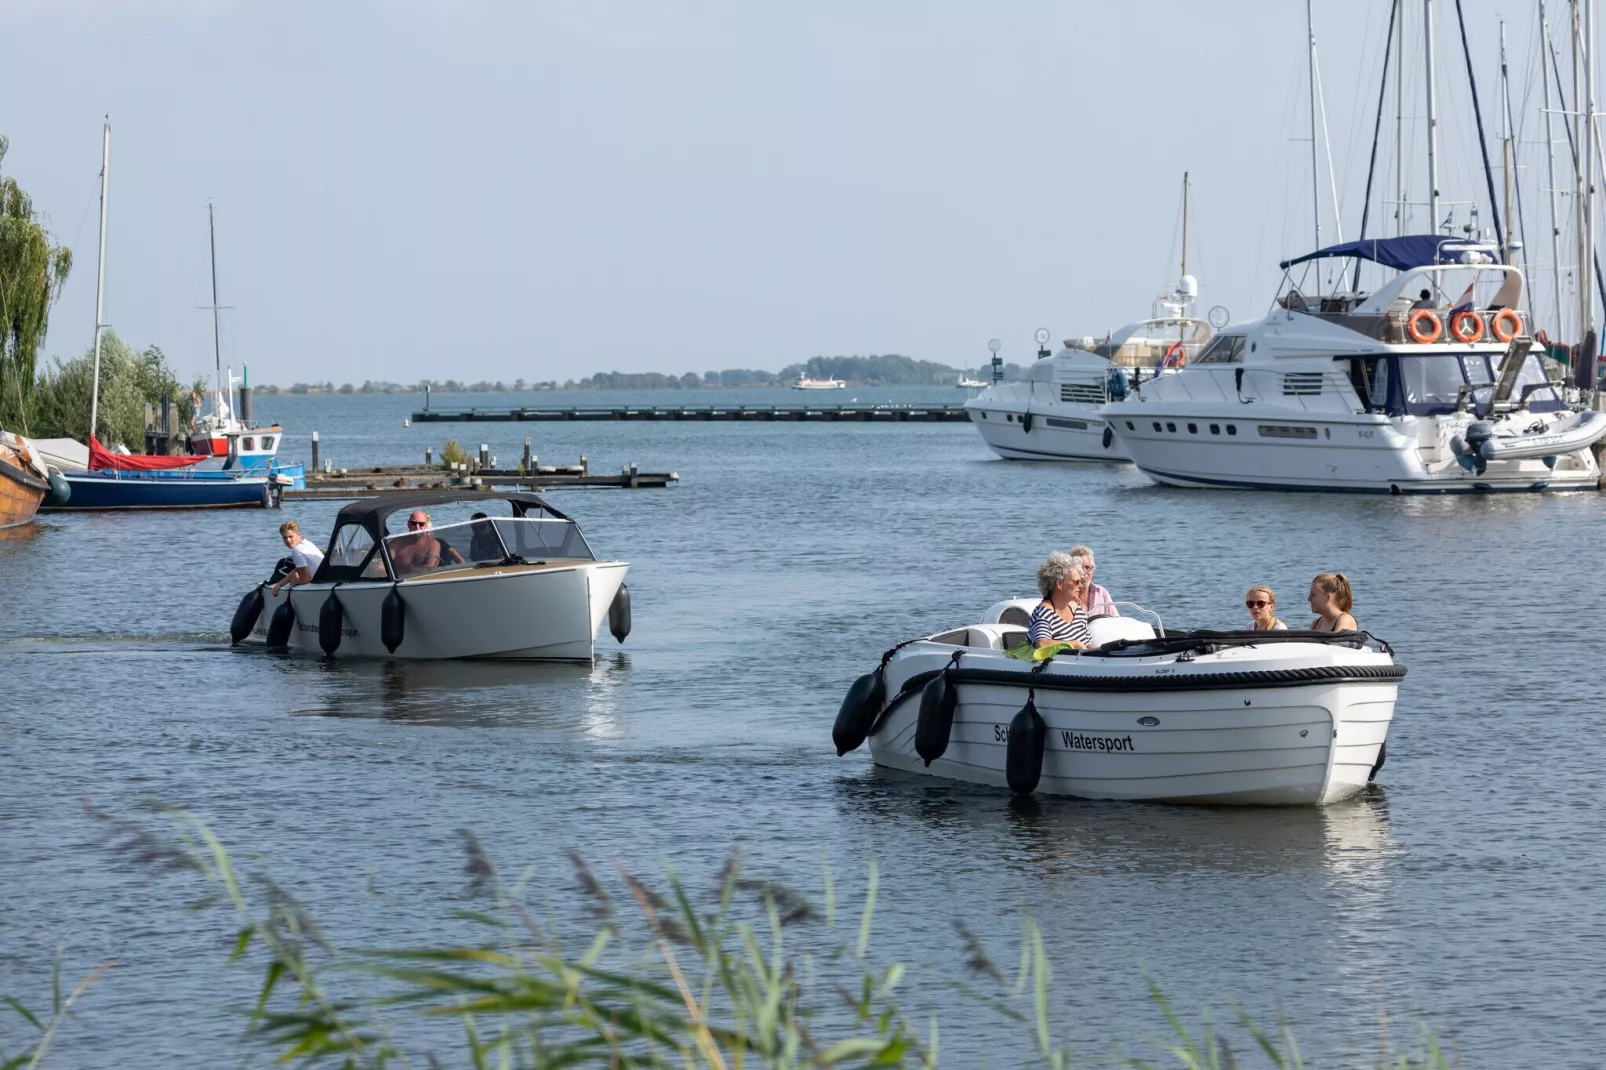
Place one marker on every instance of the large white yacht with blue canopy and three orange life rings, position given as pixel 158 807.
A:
pixel 1425 386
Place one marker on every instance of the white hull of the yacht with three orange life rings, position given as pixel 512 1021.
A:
pixel 1350 452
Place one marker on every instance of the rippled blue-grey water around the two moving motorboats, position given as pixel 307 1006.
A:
pixel 1462 891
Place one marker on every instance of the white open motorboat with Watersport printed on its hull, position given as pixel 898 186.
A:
pixel 1197 717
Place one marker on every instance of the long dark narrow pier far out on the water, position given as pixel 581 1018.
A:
pixel 751 414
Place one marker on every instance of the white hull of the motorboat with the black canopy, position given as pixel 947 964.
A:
pixel 536 613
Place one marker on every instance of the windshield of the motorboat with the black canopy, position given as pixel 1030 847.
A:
pixel 487 542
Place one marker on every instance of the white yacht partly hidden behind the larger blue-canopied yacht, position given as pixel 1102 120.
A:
pixel 1054 414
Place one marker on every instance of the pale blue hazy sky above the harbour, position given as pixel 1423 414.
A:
pixel 544 190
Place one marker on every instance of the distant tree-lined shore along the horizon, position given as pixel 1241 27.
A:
pixel 857 372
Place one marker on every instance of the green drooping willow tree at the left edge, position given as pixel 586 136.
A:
pixel 33 272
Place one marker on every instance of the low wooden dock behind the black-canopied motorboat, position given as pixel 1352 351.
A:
pixel 365 483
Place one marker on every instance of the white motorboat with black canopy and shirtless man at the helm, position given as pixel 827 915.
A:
pixel 520 584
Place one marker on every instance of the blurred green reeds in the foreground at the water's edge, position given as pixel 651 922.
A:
pixel 616 973
